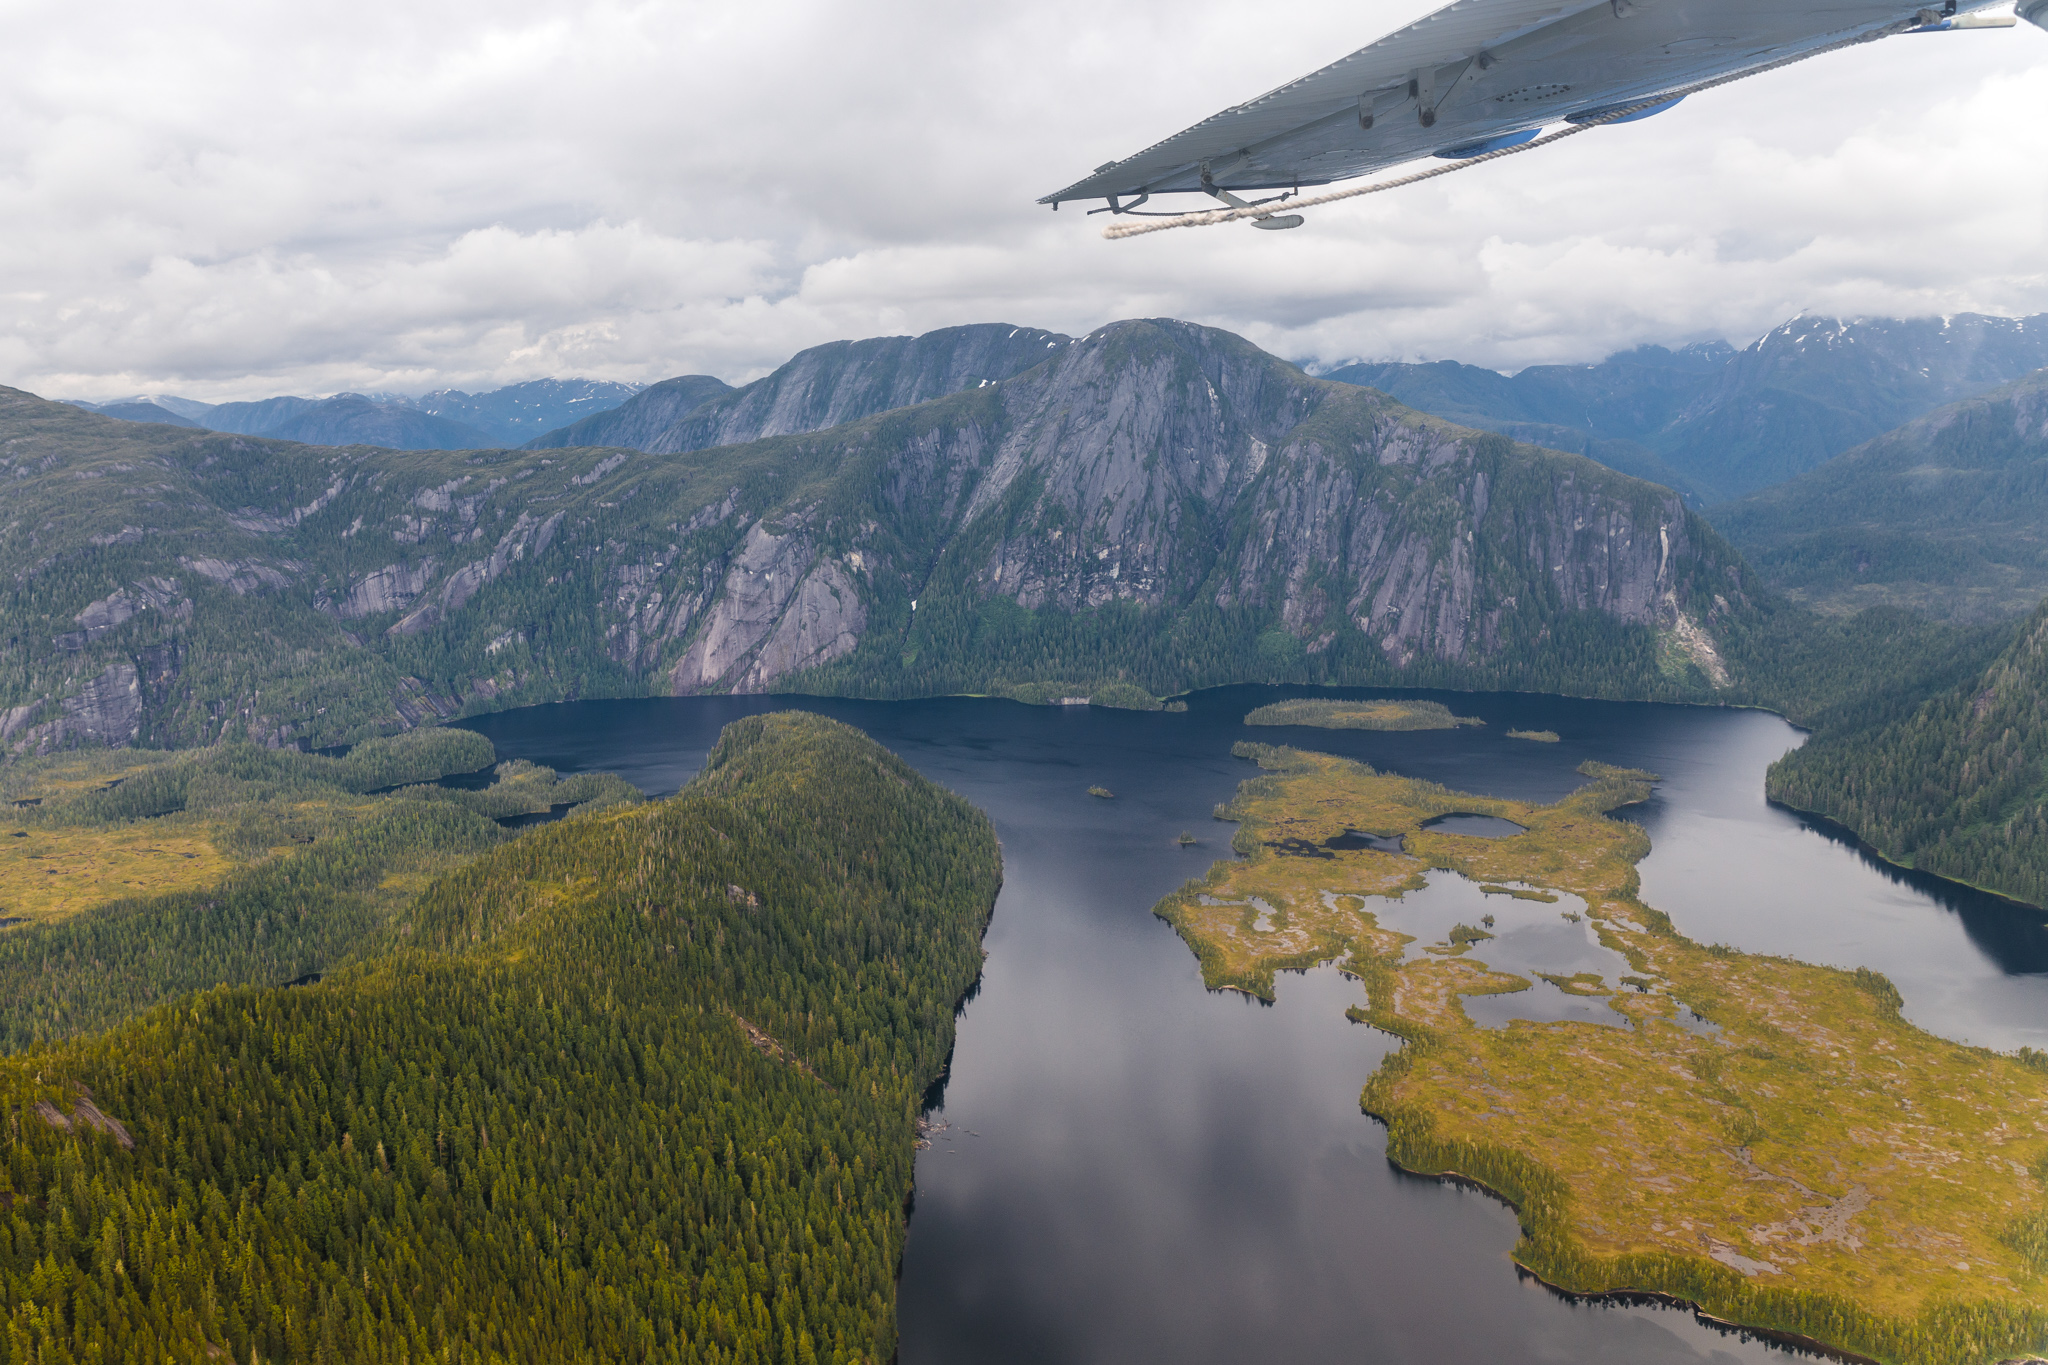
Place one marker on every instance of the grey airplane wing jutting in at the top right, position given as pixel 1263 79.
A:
pixel 1478 75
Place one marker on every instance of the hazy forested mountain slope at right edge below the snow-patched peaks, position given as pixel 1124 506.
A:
pixel 1949 515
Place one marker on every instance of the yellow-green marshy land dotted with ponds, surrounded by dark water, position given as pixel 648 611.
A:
pixel 1814 1168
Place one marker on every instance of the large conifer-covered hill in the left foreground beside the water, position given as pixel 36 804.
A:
pixel 640 1088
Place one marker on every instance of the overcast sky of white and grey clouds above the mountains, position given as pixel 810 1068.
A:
pixel 245 200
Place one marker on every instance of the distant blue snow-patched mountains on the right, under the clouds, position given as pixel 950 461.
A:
pixel 1719 423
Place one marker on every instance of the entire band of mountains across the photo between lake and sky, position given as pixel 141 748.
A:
pixel 1144 511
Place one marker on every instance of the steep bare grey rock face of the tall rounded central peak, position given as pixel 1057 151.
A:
pixel 1160 459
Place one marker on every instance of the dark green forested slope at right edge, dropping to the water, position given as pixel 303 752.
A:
pixel 1957 787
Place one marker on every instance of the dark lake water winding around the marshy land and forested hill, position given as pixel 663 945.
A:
pixel 1136 1170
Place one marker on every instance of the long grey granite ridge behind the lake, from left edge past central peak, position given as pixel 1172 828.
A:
pixel 1154 504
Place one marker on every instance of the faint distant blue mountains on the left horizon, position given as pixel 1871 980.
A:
pixel 443 421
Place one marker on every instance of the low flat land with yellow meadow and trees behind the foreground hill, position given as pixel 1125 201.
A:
pixel 161 875
